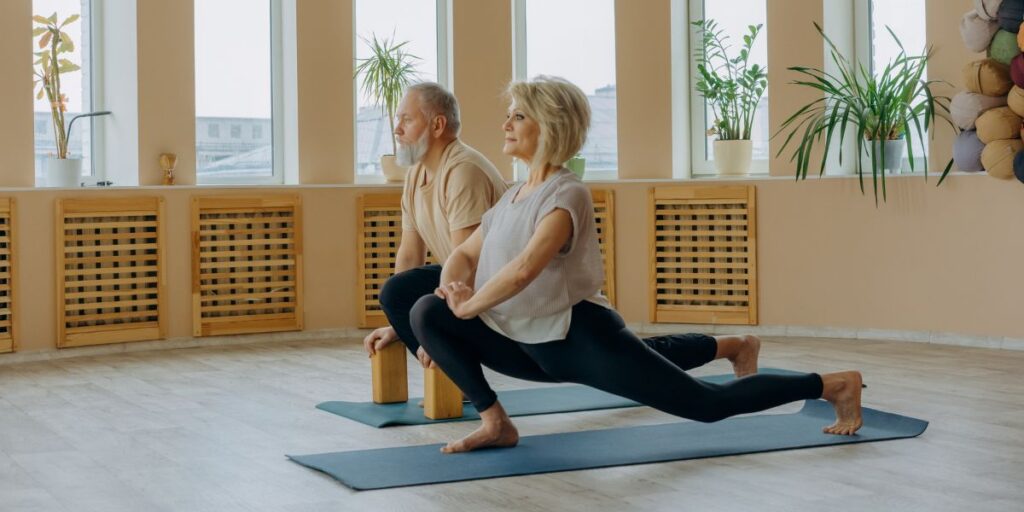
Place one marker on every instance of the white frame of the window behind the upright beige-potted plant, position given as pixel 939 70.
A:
pixel 701 164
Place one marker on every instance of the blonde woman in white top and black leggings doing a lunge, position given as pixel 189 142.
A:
pixel 522 296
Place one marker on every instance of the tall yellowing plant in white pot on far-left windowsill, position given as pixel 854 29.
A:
pixel 52 62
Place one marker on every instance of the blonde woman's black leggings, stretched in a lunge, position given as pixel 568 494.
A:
pixel 599 352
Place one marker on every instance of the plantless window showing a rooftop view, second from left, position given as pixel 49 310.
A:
pixel 237 46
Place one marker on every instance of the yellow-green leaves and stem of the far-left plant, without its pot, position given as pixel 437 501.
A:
pixel 51 63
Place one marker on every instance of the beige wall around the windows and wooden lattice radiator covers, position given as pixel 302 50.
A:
pixel 932 260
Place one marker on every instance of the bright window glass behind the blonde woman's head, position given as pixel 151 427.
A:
pixel 576 40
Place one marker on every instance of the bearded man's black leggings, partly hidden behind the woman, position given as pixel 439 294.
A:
pixel 403 290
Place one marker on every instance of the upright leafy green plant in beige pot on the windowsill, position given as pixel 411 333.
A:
pixel 734 89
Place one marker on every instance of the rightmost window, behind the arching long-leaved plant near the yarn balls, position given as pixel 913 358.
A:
pixel 877 49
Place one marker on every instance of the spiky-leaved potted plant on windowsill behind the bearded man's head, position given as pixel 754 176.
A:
pixel 386 76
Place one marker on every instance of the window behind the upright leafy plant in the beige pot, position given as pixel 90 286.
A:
pixel 734 19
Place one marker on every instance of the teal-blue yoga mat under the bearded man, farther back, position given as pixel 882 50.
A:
pixel 541 401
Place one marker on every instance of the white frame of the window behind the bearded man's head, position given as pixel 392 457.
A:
pixel 446 77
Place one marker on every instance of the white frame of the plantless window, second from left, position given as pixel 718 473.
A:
pixel 277 112
